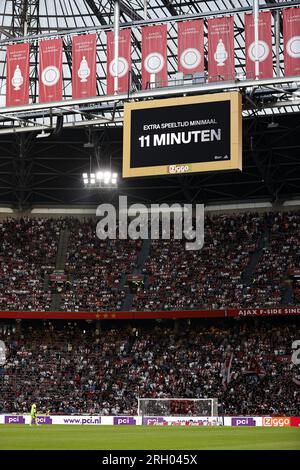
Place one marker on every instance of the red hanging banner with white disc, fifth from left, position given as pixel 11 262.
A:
pixel 154 55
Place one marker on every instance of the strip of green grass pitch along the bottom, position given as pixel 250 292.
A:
pixel 146 437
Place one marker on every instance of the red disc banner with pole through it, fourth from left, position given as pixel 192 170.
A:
pixel 124 61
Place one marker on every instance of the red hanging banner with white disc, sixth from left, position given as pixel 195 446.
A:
pixel 190 46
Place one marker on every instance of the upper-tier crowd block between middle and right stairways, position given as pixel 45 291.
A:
pixel 209 278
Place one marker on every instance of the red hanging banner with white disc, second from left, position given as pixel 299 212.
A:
pixel 50 71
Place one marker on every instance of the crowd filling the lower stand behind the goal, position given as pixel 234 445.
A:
pixel 74 368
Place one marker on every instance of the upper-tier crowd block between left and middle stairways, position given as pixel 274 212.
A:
pixel 97 268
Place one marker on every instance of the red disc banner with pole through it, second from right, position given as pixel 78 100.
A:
pixel 264 45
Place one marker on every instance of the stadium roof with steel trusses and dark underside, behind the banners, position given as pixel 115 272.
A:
pixel 88 133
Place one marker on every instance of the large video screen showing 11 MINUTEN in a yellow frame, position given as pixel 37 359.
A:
pixel 182 135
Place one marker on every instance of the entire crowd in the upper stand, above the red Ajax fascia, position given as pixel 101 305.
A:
pixel 215 277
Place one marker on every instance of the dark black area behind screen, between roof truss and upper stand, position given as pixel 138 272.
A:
pixel 49 170
